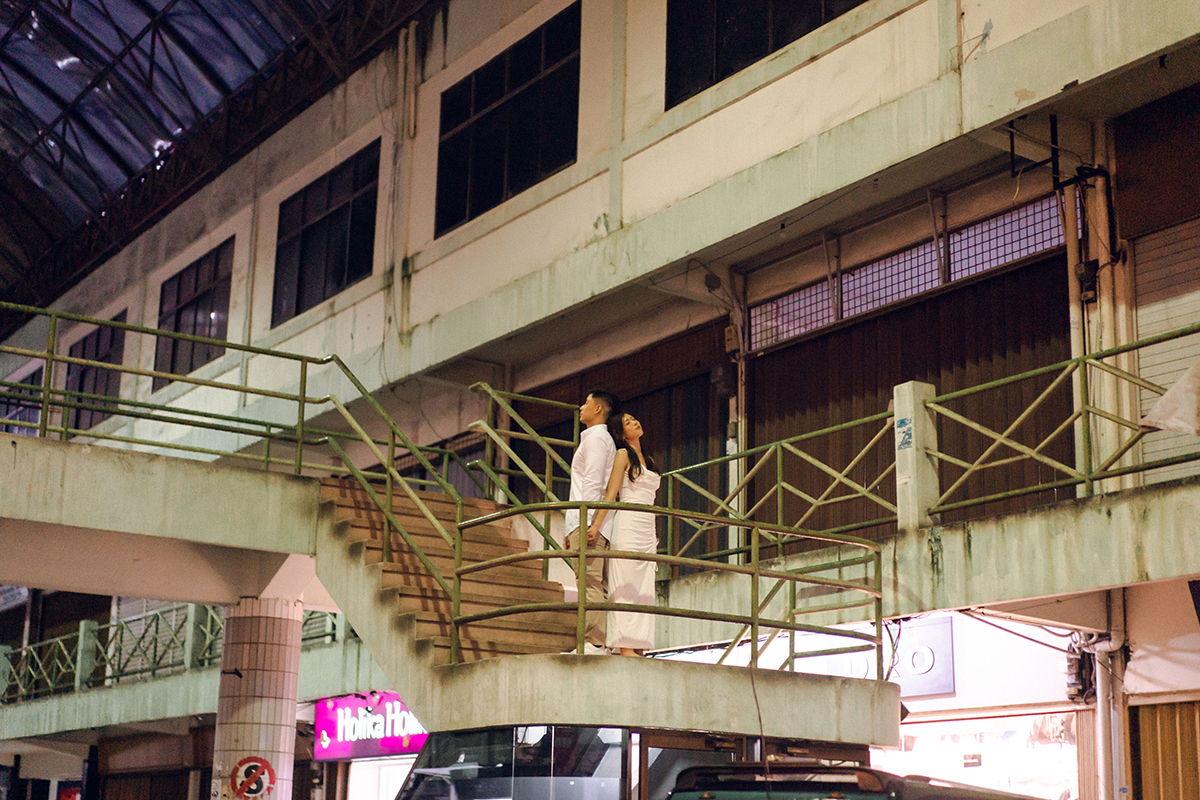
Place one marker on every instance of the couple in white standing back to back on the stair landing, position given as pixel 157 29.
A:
pixel 608 466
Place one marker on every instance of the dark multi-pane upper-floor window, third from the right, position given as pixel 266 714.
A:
pixel 327 236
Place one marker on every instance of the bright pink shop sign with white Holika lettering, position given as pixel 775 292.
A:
pixel 358 726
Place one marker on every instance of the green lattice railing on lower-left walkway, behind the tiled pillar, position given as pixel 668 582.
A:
pixel 164 642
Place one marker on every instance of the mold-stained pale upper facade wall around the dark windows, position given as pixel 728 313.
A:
pixel 650 189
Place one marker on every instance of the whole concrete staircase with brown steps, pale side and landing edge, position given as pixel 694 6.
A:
pixel 517 670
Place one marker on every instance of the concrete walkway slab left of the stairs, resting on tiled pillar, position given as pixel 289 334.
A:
pixel 109 521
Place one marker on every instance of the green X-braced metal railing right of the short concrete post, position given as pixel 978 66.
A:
pixel 1093 464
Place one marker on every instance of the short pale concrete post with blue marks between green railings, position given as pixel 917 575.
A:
pixel 917 488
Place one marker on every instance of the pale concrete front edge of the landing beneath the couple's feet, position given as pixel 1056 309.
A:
pixel 673 695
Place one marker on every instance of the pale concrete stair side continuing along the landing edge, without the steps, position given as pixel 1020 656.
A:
pixel 568 689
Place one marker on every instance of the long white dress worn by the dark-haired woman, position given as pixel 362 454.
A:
pixel 629 581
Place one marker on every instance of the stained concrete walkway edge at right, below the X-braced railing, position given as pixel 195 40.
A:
pixel 1077 546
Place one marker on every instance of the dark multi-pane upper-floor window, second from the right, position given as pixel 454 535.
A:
pixel 511 124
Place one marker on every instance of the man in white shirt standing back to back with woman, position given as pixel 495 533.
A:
pixel 591 468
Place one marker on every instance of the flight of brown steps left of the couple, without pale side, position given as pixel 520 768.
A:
pixel 406 587
